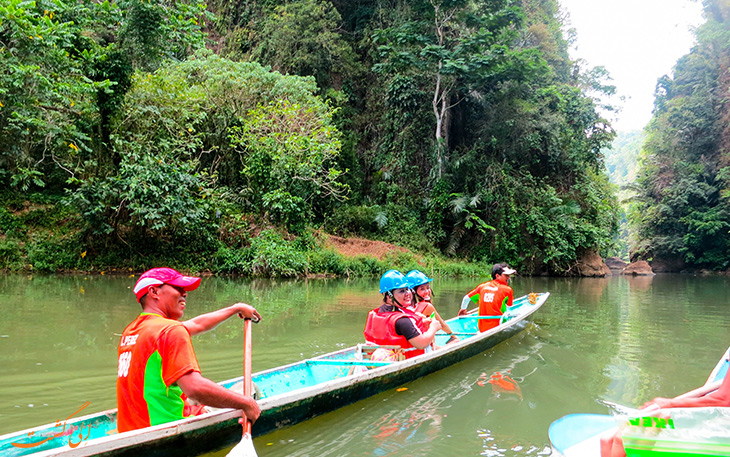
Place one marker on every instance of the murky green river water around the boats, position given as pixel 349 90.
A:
pixel 618 339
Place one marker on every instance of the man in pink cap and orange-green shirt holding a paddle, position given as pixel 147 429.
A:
pixel 158 371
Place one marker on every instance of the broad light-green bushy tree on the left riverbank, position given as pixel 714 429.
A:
pixel 205 134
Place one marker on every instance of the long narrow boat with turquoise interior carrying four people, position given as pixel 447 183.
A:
pixel 287 395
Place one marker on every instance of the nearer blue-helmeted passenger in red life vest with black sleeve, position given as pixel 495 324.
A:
pixel 393 324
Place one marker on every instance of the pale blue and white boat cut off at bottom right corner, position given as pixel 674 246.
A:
pixel 578 435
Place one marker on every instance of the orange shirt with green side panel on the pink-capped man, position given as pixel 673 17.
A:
pixel 154 352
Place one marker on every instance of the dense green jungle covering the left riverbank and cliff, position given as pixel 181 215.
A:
pixel 232 137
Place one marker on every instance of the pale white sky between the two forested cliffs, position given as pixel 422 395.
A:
pixel 637 41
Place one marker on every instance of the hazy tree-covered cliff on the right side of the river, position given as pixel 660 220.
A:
pixel 681 212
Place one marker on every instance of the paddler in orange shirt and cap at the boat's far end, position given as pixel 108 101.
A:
pixel 493 297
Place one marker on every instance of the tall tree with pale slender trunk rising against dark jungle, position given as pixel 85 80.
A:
pixel 447 47
